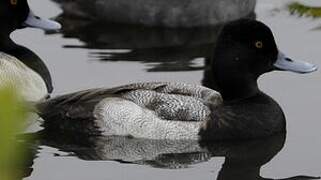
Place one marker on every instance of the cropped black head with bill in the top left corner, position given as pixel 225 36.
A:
pixel 15 14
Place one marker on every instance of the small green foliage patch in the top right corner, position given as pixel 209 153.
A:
pixel 302 10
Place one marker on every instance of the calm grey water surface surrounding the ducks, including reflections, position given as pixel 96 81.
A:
pixel 90 54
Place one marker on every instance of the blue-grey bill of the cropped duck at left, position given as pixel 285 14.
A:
pixel 41 23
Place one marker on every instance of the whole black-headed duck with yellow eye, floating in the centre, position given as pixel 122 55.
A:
pixel 245 50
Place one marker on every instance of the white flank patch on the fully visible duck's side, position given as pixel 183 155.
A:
pixel 116 116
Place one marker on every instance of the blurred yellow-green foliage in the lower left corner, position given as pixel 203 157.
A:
pixel 12 116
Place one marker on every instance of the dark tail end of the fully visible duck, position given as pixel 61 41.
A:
pixel 67 113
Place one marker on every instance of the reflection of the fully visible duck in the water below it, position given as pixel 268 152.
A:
pixel 243 160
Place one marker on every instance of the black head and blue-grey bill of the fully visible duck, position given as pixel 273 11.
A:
pixel 246 49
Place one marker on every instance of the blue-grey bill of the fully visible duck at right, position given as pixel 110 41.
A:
pixel 287 64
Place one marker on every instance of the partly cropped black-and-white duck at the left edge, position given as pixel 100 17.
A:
pixel 19 66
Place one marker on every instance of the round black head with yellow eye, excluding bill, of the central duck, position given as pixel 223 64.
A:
pixel 250 45
